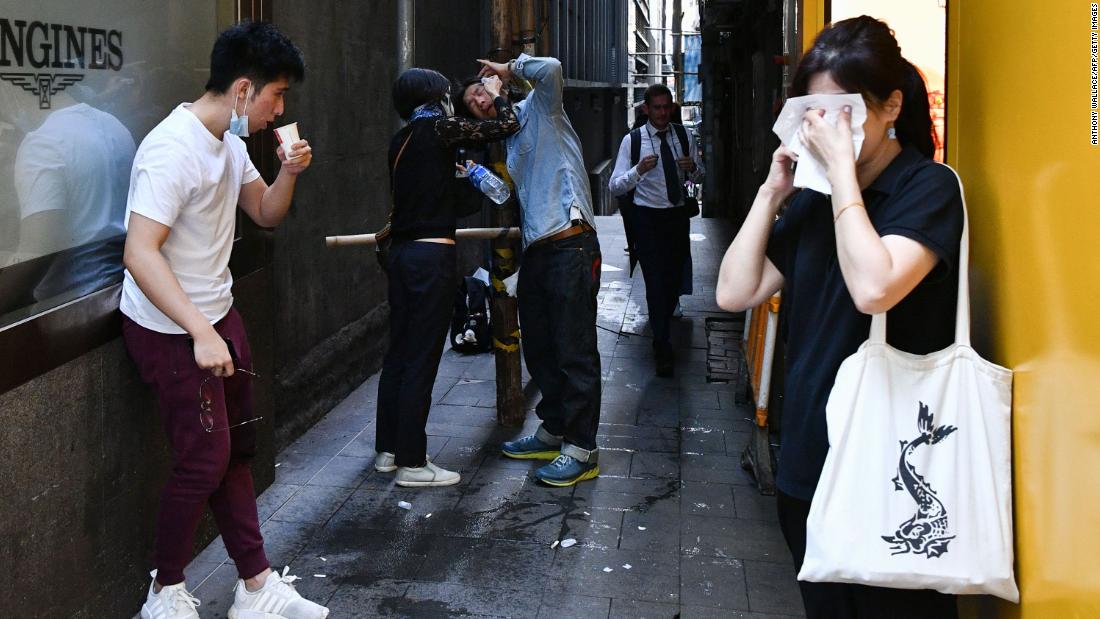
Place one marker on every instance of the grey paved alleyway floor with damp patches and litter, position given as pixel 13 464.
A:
pixel 673 527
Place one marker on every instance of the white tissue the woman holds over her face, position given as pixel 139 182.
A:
pixel 810 173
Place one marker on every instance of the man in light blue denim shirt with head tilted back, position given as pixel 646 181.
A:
pixel 560 277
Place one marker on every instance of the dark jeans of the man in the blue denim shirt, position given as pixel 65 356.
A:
pixel 558 288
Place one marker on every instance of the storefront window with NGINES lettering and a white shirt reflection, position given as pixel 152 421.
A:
pixel 81 86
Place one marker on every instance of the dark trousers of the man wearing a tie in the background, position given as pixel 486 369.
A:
pixel 662 240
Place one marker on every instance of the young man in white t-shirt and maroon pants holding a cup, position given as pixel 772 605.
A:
pixel 190 176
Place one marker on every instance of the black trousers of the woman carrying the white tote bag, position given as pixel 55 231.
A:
pixel 840 601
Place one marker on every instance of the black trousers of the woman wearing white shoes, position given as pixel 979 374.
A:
pixel 422 302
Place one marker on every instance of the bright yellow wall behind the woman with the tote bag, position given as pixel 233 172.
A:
pixel 1019 131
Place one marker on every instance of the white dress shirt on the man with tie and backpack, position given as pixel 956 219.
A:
pixel 650 189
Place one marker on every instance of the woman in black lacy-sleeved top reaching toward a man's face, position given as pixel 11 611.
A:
pixel 428 200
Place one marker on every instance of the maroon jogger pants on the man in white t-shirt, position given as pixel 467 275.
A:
pixel 208 468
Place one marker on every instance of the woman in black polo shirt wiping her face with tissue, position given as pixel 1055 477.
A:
pixel 887 239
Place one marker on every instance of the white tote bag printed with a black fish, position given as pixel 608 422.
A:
pixel 917 489
